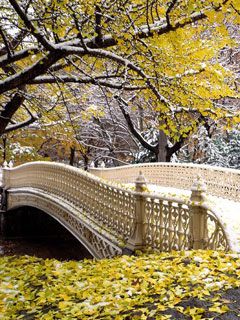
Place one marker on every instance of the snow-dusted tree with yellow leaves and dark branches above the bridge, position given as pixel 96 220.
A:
pixel 165 51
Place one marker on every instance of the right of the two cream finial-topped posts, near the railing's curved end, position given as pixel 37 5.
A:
pixel 198 217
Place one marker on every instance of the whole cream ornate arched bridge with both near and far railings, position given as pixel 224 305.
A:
pixel 112 211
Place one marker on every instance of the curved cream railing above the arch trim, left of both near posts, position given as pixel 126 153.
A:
pixel 107 205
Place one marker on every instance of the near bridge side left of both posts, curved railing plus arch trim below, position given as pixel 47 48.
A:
pixel 99 214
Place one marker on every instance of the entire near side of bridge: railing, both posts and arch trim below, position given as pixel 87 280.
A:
pixel 110 220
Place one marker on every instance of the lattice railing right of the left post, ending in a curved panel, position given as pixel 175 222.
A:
pixel 175 224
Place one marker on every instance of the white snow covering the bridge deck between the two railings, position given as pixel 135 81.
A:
pixel 228 211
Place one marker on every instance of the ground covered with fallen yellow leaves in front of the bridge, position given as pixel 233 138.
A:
pixel 177 285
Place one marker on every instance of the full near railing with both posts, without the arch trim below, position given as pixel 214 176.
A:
pixel 138 219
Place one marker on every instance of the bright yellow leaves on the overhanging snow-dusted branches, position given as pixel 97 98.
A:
pixel 181 63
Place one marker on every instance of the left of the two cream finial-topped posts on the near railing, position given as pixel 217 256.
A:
pixel 136 242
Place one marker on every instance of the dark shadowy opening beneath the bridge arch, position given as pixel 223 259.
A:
pixel 29 230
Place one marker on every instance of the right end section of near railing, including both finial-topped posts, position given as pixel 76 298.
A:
pixel 171 223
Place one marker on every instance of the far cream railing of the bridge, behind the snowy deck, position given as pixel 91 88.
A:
pixel 221 182
